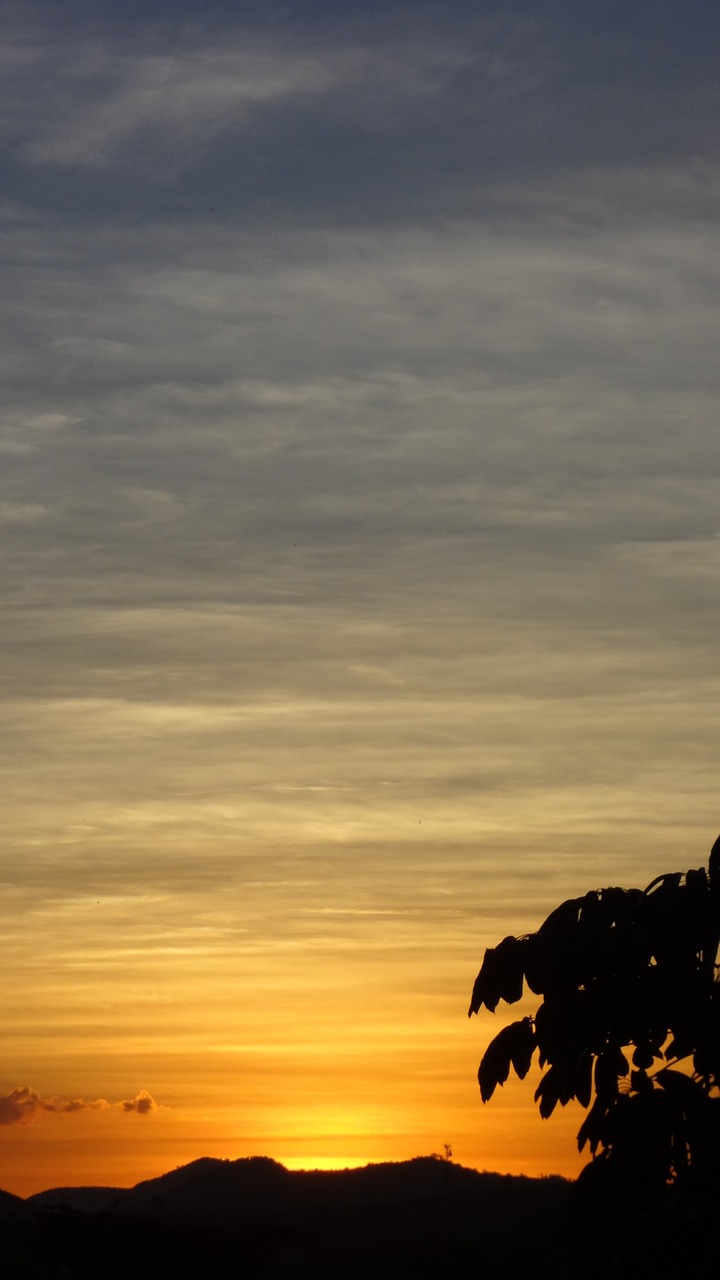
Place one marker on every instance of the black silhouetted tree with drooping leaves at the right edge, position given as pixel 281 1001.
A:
pixel 630 1026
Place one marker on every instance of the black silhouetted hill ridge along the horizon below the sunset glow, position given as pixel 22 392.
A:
pixel 253 1218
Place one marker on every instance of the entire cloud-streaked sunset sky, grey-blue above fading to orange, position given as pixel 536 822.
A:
pixel 359 554
